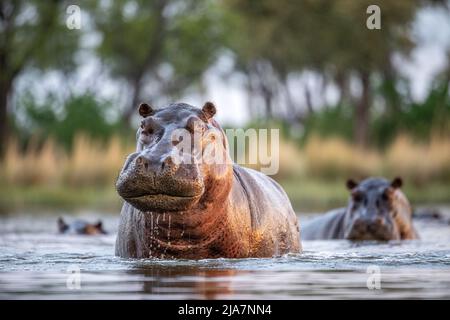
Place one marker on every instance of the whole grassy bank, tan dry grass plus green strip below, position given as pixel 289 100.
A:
pixel 312 176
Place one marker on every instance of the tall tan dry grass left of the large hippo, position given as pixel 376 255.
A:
pixel 89 163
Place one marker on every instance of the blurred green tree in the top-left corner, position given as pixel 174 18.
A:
pixel 32 35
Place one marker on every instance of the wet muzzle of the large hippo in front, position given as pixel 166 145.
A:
pixel 157 183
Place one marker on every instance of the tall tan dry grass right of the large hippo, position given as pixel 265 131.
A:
pixel 417 162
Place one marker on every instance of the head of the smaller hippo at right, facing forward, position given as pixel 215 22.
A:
pixel 372 212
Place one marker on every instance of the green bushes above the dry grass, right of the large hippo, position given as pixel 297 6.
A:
pixel 417 119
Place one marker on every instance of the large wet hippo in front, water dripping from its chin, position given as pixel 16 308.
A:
pixel 178 205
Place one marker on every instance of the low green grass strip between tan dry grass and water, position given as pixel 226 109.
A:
pixel 305 196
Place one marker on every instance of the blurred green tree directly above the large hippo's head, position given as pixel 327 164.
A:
pixel 159 47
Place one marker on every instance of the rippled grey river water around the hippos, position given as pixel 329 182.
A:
pixel 36 263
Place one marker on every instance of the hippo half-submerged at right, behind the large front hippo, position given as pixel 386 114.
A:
pixel 377 210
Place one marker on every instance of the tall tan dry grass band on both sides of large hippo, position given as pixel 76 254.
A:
pixel 93 164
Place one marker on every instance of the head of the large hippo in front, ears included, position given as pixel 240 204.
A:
pixel 172 169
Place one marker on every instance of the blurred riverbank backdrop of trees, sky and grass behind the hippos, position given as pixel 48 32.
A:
pixel 349 101
